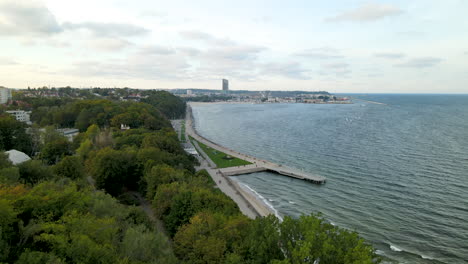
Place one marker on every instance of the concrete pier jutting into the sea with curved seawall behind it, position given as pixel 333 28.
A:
pixel 258 165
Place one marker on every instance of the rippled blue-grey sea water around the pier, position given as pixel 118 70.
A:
pixel 397 173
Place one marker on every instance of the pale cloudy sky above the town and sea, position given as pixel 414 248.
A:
pixel 407 46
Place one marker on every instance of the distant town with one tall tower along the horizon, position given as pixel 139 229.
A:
pixel 195 94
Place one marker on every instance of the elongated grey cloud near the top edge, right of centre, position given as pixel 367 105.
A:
pixel 368 12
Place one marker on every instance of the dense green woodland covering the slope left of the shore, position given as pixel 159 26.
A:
pixel 77 202
